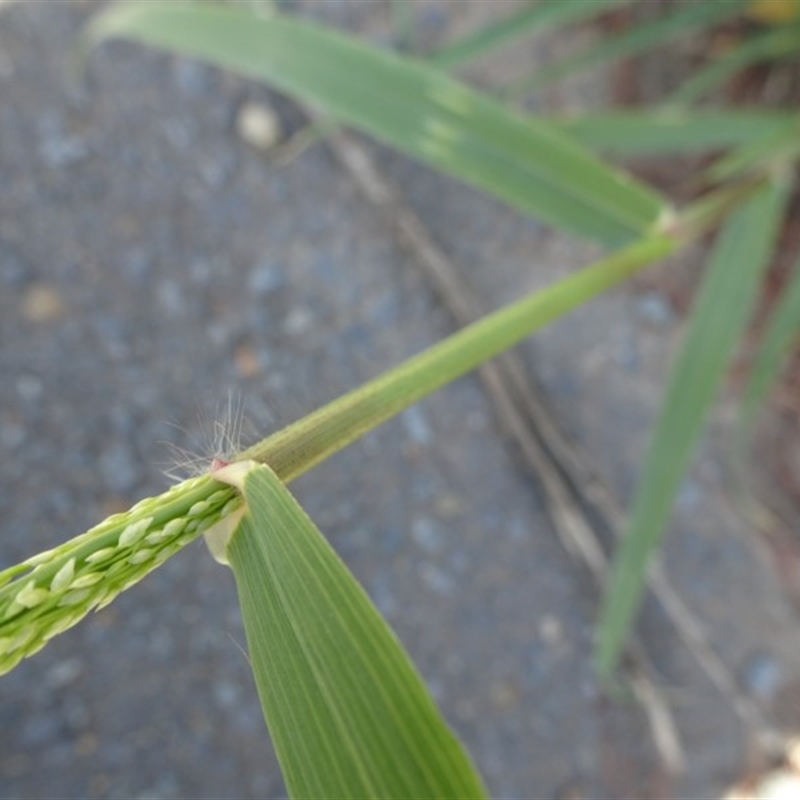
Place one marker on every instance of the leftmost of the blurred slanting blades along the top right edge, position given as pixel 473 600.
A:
pixel 542 15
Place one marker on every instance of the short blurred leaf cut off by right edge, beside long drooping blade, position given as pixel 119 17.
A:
pixel 781 334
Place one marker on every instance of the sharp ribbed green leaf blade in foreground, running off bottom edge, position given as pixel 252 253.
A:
pixel 349 715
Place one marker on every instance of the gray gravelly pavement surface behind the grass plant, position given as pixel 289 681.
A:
pixel 150 263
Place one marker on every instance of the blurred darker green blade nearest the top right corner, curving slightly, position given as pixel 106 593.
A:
pixel 767 46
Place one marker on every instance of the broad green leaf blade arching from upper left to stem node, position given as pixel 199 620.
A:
pixel 409 105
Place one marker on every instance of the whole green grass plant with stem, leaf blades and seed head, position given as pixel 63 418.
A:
pixel 348 713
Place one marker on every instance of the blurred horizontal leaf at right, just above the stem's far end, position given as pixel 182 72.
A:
pixel 651 133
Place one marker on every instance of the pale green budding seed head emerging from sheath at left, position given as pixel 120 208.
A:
pixel 52 591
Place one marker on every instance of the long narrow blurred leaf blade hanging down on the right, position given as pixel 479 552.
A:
pixel 720 312
